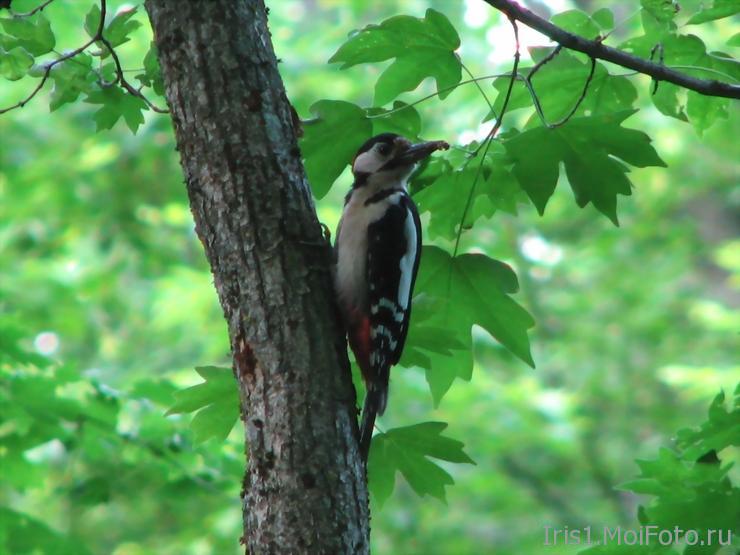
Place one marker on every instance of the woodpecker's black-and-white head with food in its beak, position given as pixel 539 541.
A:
pixel 390 158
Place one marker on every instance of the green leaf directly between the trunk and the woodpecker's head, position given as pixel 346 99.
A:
pixel 331 140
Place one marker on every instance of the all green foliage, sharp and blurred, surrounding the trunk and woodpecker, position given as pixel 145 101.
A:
pixel 107 303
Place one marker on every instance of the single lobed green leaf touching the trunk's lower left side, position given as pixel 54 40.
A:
pixel 216 400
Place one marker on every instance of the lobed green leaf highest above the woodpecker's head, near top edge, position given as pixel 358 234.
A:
pixel 421 47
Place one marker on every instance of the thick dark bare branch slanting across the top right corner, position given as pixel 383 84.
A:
pixel 596 49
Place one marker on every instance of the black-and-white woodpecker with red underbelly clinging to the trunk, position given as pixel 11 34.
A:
pixel 378 247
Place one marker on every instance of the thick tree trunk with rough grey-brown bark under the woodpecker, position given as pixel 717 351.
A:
pixel 305 489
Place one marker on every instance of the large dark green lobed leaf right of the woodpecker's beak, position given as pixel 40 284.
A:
pixel 588 147
